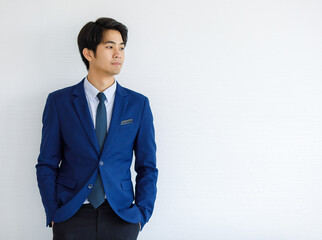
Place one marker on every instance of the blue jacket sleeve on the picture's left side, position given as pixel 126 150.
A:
pixel 49 158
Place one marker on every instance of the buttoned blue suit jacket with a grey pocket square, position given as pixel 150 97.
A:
pixel 70 159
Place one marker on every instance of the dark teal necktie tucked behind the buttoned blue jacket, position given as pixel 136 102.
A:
pixel 97 196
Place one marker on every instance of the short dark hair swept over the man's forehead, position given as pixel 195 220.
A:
pixel 92 33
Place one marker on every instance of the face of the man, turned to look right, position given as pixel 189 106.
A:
pixel 109 55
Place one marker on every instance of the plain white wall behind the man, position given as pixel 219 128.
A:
pixel 235 89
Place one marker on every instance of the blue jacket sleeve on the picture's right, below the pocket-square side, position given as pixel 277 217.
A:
pixel 145 164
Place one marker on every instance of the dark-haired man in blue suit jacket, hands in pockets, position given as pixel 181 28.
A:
pixel 90 131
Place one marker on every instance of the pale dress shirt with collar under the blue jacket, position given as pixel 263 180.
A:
pixel 93 101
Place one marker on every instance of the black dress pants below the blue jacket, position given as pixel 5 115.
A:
pixel 95 224
